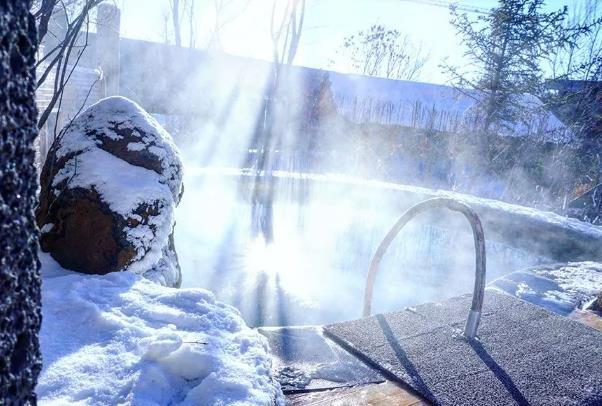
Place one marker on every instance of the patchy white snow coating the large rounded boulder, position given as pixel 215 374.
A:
pixel 124 186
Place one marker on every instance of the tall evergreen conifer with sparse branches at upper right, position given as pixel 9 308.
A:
pixel 505 49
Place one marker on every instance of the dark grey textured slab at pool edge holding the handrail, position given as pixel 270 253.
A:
pixel 524 354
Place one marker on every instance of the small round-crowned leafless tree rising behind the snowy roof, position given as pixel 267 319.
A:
pixel 380 51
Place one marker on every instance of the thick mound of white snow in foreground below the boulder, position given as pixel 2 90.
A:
pixel 121 339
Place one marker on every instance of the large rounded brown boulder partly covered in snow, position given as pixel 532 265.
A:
pixel 109 188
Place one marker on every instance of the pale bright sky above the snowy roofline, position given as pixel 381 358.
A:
pixel 327 23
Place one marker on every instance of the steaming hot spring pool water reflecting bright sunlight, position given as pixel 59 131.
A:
pixel 325 233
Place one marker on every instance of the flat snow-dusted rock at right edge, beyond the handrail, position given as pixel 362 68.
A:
pixel 558 288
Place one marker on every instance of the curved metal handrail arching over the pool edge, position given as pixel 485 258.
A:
pixel 474 315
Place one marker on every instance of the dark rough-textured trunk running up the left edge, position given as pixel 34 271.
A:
pixel 20 314
